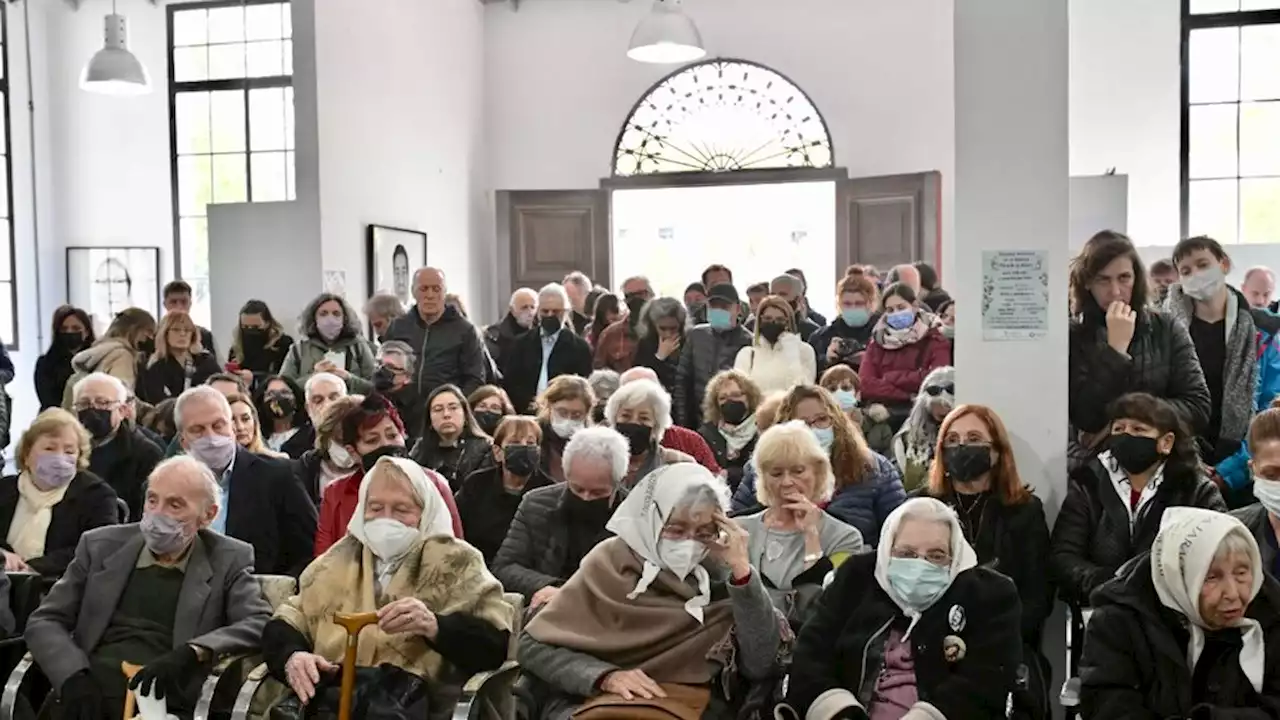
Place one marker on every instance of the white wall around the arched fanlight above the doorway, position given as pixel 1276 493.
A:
pixel 559 84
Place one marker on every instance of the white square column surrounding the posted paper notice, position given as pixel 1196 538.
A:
pixel 1012 194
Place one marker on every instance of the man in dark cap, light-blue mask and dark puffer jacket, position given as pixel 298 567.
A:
pixel 710 348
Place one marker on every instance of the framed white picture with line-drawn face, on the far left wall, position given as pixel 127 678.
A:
pixel 104 281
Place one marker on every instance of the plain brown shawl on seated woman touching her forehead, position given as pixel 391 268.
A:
pixel 653 632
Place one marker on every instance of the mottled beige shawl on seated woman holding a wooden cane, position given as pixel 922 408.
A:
pixel 445 573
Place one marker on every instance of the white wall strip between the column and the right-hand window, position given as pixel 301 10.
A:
pixel 1126 106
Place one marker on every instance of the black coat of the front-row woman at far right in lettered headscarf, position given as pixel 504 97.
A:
pixel 1135 663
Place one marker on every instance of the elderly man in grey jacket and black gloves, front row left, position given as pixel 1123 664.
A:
pixel 166 594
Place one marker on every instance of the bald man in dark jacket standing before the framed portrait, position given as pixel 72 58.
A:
pixel 447 345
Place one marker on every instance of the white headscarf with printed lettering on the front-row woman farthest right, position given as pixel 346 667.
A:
pixel 1181 558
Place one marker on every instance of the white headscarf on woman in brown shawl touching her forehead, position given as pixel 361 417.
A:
pixel 641 518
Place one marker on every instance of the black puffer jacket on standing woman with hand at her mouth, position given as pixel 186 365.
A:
pixel 1162 362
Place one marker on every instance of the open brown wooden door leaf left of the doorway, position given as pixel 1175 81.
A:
pixel 554 233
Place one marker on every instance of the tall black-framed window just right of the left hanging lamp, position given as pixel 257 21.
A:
pixel 231 83
